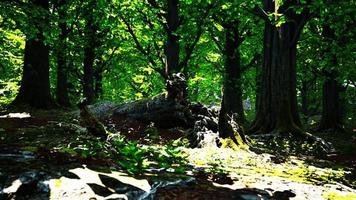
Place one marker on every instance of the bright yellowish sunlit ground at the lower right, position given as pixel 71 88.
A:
pixel 250 170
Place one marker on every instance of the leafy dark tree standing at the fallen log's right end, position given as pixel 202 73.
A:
pixel 229 32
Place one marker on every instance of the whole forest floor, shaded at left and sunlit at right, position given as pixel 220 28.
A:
pixel 48 155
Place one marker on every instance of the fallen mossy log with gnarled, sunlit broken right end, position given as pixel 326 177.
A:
pixel 169 113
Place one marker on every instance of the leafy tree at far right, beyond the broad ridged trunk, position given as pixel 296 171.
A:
pixel 327 61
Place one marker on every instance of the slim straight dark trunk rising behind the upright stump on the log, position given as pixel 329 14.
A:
pixel 172 45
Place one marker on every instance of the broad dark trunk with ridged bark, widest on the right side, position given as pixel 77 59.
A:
pixel 277 103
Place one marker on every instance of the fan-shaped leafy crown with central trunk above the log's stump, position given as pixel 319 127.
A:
pixel 174 17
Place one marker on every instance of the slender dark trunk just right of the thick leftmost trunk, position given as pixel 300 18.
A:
pixel 62 66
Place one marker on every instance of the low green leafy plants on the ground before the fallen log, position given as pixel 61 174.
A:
pixel 133 157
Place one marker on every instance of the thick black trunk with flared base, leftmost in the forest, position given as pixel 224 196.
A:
pixel 35 85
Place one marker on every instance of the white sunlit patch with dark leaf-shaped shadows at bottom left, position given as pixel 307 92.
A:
pixel 93 184
